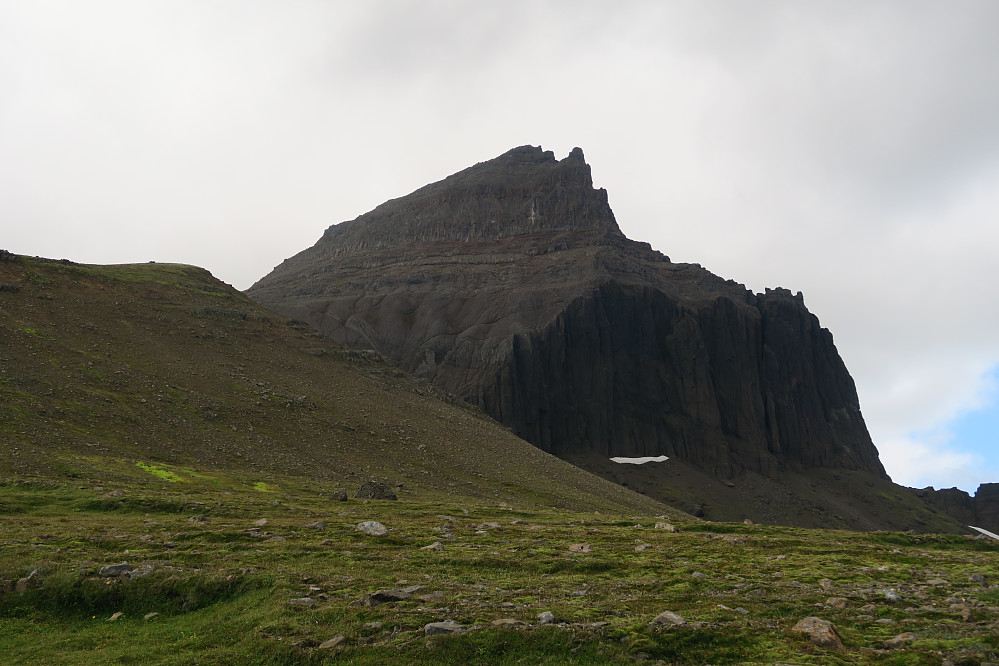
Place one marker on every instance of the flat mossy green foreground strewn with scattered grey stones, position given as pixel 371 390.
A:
pixel 205 567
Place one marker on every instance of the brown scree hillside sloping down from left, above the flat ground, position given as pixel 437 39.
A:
pixel 104 367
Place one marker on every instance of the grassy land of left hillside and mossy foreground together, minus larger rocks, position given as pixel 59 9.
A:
pixel 235 416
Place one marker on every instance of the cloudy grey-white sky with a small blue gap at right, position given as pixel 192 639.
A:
pixel 846 149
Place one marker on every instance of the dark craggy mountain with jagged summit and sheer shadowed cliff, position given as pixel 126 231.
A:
pixel 511 286
